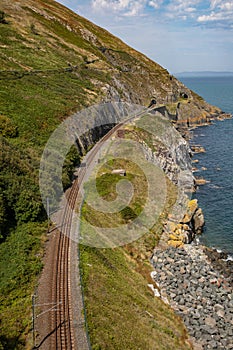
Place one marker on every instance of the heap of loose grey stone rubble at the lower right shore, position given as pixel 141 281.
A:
pixel 198 293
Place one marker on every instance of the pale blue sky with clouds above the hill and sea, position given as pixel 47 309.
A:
pixel 181 35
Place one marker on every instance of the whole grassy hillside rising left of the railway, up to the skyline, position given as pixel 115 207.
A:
pixel 53 62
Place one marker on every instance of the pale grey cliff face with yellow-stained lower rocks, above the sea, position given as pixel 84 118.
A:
pixel 177 165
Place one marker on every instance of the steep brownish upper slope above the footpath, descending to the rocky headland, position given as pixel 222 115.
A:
pixel 49 39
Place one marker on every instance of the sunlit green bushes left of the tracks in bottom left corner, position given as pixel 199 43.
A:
pixel 20 263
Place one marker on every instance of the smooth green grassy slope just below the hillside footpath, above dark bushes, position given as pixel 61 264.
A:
pixel 37 103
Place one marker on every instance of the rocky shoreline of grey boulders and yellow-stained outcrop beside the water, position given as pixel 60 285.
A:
pixel 196 281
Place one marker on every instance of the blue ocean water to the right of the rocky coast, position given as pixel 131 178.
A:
pixel 216 197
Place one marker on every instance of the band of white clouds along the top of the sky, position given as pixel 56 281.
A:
pixel 220 12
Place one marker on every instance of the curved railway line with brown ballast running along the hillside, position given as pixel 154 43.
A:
pixel 62 329
